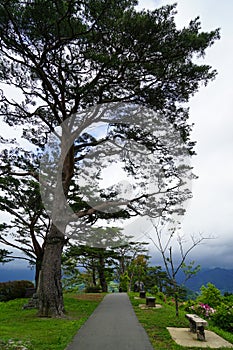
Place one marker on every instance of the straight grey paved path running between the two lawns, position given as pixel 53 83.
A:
pixel 112 326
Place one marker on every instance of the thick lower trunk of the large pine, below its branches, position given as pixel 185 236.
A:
pixel 50 288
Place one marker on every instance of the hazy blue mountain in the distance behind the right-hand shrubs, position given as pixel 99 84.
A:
pixel 221 278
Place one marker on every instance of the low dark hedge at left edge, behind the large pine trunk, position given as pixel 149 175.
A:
pixel 14 289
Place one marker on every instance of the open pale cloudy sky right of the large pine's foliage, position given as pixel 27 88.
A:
pixel 211 209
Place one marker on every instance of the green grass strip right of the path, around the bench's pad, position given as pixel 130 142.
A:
pixel 155 322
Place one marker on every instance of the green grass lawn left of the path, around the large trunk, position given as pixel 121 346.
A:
pixel 43 333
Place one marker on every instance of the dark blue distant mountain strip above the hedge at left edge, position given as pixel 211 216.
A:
pixel 14 274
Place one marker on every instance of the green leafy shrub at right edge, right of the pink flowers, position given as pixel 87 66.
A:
pixel 223 317
